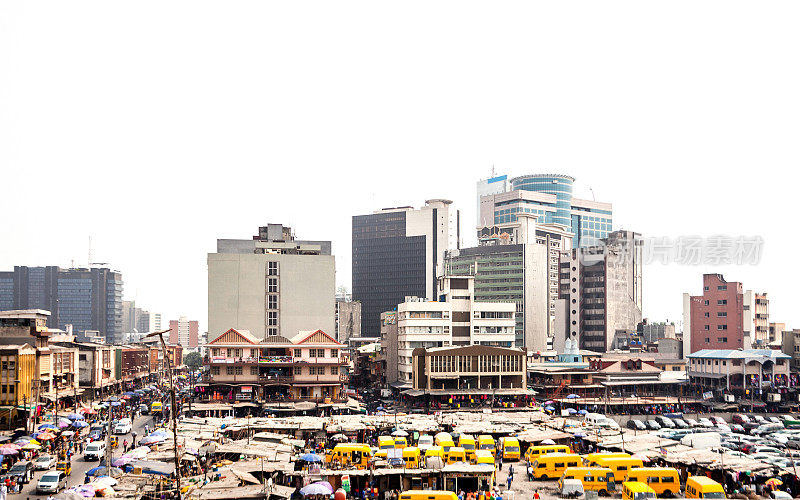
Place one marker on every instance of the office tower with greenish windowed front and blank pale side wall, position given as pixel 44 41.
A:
pixel 518 262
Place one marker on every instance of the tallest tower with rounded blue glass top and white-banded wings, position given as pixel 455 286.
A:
pixel 549 197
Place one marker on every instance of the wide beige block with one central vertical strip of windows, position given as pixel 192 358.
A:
pixel 271 285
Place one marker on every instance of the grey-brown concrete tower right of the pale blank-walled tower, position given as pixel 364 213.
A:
pixel 601 292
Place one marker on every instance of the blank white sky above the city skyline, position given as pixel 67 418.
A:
pixel 157 127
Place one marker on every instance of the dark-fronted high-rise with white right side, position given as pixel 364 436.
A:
pixel 399 252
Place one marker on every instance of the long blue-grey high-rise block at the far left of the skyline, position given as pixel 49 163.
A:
pixel 87 299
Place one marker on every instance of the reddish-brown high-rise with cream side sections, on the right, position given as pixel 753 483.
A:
pixel 725 316
